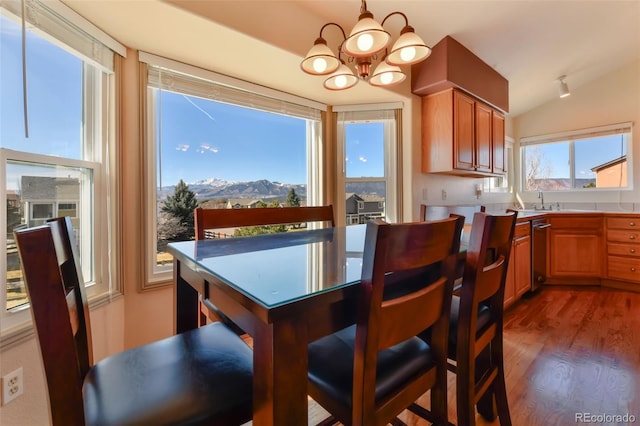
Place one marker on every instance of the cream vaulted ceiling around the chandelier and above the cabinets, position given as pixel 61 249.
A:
pixel 530 43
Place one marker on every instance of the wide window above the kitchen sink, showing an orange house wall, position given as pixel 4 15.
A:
pixel 589 160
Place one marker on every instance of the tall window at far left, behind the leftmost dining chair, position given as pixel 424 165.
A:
pixel 54 141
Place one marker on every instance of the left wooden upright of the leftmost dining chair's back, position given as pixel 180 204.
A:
pixel 50 308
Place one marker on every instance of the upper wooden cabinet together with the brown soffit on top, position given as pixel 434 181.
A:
pixel 463 107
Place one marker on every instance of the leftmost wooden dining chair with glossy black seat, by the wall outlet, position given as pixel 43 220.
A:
pixel 202 376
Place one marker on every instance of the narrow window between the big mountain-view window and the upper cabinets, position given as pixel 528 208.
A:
pixel 367 140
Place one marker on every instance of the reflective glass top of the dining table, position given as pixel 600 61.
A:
pixel 276 269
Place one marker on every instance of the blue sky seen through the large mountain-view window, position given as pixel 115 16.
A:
pixel 203 139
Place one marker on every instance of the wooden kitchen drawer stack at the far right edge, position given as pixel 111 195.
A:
pixel 623 248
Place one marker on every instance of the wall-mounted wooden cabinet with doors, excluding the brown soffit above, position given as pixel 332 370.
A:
pixel 461 135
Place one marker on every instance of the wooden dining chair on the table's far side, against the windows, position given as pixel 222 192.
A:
pixel 212 219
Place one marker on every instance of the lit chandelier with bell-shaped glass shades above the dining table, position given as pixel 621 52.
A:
pixel 367 40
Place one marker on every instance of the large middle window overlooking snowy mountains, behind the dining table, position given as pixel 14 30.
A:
pixel 221 146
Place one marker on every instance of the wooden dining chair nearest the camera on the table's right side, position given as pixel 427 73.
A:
pixel 368 373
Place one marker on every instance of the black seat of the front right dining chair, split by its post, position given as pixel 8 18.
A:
pixel 331 364
